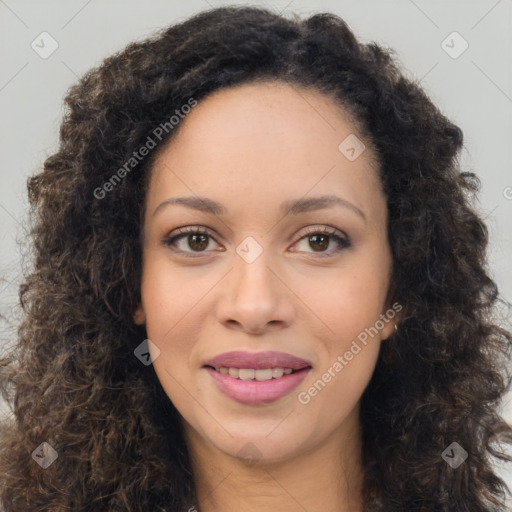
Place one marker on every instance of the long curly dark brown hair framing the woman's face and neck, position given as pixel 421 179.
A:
pixel 72 379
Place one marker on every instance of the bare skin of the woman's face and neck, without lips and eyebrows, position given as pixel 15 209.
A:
pixel 250 148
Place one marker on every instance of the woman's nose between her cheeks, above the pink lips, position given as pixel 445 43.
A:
pixel 255 298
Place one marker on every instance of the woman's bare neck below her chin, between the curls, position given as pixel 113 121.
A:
pixel 328 478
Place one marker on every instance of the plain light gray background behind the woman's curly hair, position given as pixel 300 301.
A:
pixel 474 90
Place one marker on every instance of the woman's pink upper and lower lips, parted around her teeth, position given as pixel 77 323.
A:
pixel 257 392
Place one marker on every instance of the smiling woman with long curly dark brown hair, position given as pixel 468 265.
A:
pixel 258 283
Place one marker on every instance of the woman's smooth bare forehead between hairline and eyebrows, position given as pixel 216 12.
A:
pixel 261 141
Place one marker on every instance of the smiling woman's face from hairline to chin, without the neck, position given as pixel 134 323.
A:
pixel 267 272
